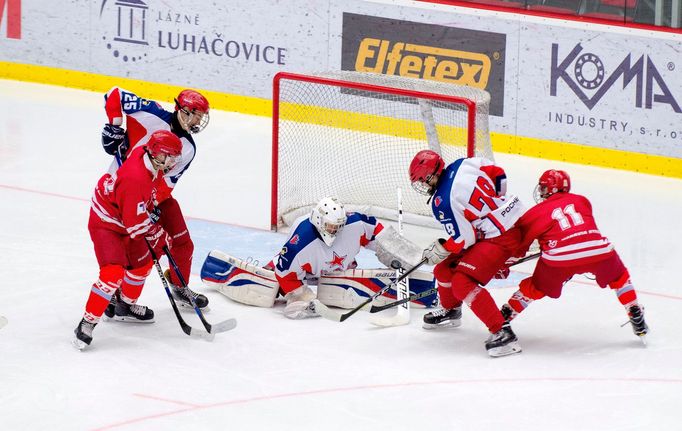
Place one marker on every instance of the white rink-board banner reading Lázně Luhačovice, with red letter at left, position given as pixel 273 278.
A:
pixel 234 47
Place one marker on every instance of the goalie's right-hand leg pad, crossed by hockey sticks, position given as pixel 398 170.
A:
pixel 348 289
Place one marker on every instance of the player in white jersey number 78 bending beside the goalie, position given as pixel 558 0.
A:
pixel 468 199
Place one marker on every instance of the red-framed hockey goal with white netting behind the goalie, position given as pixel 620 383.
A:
pixel 353 135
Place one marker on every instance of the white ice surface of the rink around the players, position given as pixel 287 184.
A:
pixel 579 370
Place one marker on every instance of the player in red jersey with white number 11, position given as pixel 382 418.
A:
pixel 571 244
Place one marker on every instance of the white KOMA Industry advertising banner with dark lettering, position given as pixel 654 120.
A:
pixel 605 90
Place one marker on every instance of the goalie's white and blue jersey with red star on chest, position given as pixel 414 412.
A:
pixel 306 255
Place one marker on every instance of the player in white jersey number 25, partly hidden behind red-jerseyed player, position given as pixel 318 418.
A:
pixel 142 118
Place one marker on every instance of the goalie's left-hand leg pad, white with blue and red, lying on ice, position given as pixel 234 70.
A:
pixel 240 281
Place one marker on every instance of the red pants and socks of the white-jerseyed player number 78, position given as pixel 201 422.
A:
pixel 460 278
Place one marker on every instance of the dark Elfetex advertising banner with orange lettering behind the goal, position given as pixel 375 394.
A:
pixel 426 51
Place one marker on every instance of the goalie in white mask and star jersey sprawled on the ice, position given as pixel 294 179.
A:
pixel 321 249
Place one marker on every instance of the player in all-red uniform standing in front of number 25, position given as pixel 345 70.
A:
pixel 121 227
